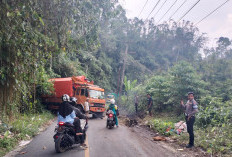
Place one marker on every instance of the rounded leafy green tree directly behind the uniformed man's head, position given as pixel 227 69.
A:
pixel 184 79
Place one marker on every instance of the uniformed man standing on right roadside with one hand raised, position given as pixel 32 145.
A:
pixel 191 109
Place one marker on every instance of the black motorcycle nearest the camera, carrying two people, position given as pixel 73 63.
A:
pixel 65 136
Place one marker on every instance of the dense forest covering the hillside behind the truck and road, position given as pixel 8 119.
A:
pixel 46 39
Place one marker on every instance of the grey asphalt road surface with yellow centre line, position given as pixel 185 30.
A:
pixel 102 142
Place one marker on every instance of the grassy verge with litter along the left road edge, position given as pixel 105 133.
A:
pixel 23 128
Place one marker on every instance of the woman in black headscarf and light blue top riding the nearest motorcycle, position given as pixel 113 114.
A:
pixel 67 114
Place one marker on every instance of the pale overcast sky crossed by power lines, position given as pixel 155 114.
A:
pixel 216 25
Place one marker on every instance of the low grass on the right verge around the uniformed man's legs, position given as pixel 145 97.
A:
pixel 215 140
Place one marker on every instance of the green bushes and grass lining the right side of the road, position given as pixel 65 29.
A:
pixel 213 122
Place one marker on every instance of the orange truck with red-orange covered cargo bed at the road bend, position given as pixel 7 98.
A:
pixel 81 88
